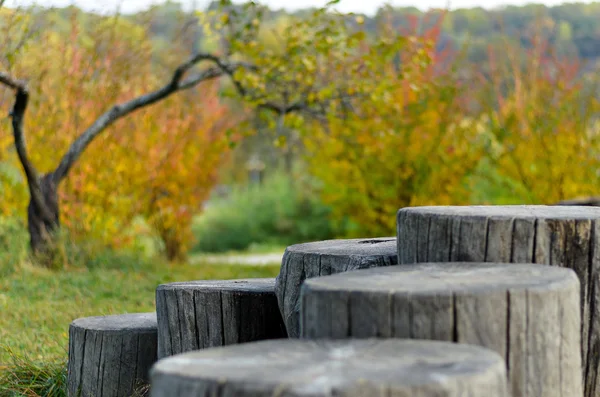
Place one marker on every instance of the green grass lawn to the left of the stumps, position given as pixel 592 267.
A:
pixel 37 305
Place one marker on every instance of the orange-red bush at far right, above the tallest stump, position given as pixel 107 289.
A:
pixel 540 121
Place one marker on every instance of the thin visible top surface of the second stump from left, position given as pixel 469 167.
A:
pixel 248 285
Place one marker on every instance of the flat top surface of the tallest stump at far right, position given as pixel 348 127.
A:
pixel 511 211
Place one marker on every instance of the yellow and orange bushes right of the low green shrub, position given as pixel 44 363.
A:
pixel 520 128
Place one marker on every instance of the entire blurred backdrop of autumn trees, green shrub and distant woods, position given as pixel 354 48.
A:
pixel 346 118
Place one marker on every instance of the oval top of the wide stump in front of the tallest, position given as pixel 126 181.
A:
pixel 440 278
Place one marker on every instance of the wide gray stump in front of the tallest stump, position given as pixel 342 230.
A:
pixel 526 313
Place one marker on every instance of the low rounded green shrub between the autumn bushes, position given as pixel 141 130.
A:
pixel 281 211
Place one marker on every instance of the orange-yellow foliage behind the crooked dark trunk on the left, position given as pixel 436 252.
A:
pixel 160 163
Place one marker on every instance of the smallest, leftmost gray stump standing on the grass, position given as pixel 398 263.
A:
pixel 111 356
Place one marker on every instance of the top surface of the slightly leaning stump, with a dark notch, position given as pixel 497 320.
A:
pixel 380 246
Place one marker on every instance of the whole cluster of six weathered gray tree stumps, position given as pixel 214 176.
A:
pixel 461 303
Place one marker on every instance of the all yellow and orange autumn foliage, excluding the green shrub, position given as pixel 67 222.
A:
pixel 385 121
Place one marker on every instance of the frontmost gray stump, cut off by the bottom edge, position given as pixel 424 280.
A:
pixel 294 367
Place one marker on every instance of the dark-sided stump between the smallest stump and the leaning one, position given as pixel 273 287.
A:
pixel 199 314
